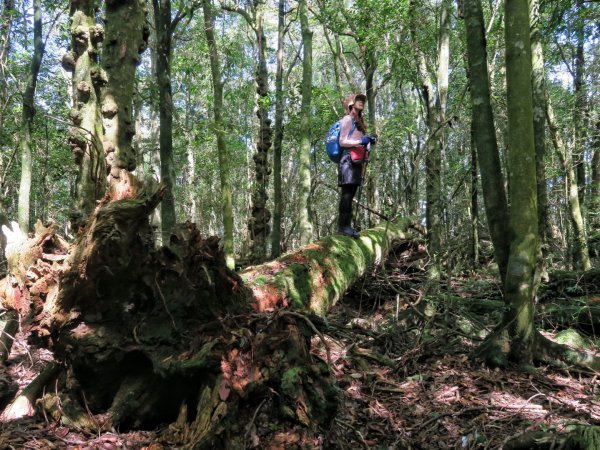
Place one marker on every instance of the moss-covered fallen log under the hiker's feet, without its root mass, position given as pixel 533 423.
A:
pixel 316 276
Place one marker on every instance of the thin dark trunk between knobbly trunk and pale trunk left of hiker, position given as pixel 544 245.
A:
pixel 277 143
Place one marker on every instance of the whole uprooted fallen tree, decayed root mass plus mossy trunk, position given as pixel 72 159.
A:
pixel 144 333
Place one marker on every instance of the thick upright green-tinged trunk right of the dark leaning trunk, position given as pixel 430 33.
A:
pixel 520 285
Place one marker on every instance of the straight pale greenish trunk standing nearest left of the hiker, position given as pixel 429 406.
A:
pixel 304 175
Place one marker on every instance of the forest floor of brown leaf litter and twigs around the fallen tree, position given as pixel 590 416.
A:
pixel 401 360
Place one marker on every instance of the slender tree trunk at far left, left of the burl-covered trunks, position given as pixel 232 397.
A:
pixel 27 118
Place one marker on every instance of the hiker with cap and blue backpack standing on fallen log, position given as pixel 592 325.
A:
pixel 354 143
